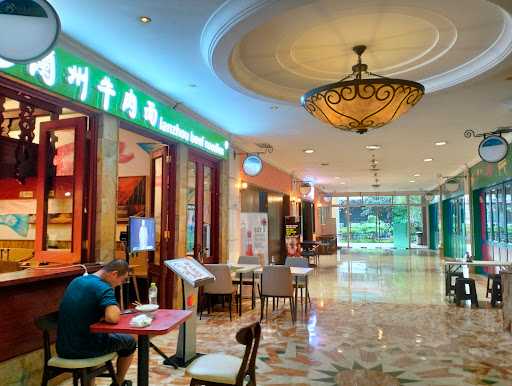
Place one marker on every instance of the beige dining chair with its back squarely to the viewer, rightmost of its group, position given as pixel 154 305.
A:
pixel 276 282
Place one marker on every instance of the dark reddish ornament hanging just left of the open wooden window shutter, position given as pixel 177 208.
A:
pixel 23 155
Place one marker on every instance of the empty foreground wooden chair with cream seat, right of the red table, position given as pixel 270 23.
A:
pixel 223 369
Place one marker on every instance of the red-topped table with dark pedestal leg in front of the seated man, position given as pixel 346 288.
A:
pixel 164 321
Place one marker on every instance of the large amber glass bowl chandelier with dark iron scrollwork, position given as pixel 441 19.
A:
pixel 358 103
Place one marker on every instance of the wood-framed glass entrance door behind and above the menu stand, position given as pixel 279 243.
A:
pixel 202 208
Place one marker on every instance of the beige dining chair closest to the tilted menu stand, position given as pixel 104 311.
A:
pixel 222 286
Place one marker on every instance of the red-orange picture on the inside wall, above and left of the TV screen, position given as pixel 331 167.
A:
pixel 131 197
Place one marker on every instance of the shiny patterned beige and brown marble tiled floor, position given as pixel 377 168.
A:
pixel 378 318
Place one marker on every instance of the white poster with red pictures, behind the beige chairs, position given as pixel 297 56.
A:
pixel 254 238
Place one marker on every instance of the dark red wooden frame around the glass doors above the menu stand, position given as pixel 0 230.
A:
pixel 202 159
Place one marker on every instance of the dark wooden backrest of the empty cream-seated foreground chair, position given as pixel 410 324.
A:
pixel 250 337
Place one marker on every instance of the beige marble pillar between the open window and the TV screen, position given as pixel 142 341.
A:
pixel 106 187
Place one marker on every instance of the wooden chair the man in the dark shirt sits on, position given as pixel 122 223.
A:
pixel 82 369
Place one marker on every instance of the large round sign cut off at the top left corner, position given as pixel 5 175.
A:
pixel 30 30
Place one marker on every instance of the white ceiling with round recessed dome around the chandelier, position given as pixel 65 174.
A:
pixel 245 57
